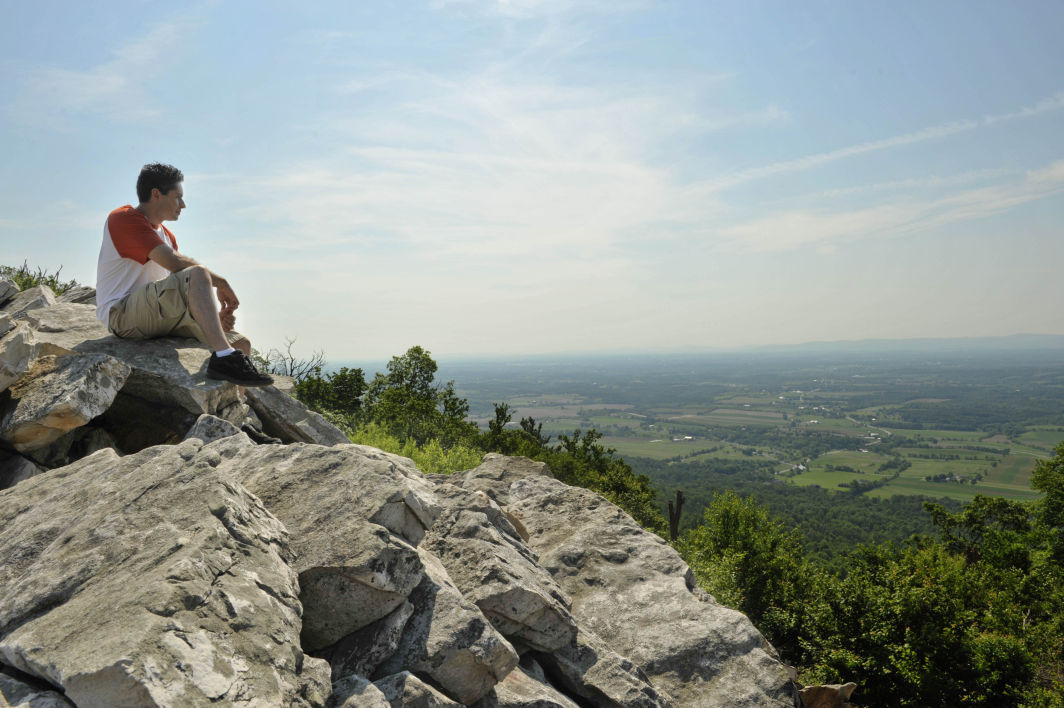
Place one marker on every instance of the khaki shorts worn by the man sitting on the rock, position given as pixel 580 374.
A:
pixel 159 309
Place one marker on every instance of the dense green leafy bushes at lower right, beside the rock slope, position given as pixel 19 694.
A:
pixel 975 617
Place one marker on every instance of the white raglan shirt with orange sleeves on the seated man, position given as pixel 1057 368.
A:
pixel 124 265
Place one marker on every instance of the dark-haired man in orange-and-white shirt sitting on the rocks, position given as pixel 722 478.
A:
pixel 146 288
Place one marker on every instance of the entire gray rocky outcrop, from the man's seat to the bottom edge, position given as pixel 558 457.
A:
pixel 153 554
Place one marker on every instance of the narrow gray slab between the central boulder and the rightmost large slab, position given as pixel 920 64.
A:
pixel 492 566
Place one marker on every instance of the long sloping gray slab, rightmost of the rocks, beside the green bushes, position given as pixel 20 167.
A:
pixel 634 591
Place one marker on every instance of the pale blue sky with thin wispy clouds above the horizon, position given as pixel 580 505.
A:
pixel 540 176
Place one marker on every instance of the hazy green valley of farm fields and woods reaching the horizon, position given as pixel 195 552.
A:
pixel 939 427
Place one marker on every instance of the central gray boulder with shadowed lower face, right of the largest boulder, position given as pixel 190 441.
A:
pixel 354 522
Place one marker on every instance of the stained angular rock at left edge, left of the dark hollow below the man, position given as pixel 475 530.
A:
pixel 59 394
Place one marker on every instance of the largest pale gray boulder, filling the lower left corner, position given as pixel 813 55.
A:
pixel 153 580
